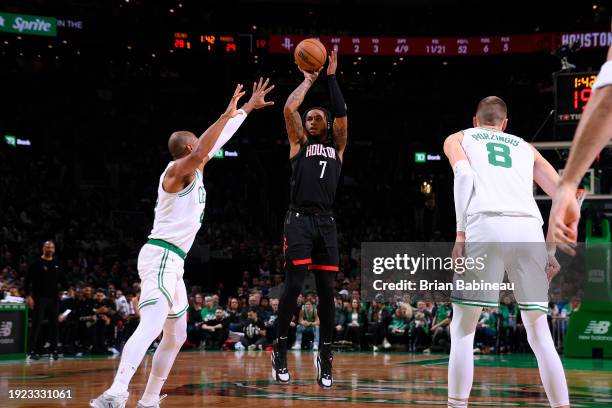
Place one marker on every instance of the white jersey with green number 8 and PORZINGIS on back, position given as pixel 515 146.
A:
pixel 503 173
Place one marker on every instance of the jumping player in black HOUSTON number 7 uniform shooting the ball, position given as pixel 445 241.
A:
pixel 310 239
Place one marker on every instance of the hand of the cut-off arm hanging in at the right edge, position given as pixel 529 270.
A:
pixel 564 217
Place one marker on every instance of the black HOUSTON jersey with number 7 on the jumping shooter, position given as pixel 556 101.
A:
pixel 314 178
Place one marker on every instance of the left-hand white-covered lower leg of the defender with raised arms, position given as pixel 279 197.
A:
pixel 148 329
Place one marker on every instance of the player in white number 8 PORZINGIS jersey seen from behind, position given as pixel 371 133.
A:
pixel 494 173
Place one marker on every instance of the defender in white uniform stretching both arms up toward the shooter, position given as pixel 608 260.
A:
pixel 179 213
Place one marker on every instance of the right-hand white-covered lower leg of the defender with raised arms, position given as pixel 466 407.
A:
pixel 175 334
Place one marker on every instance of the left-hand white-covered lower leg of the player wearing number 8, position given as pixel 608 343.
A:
pixel 461 359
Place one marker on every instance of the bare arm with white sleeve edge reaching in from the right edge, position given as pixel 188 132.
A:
pixel 592 134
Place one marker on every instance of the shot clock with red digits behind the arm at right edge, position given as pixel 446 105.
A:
pixel 572 92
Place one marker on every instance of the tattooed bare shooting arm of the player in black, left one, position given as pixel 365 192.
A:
pixel 293 121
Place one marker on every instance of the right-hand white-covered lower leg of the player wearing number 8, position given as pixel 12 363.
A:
pixel 549 363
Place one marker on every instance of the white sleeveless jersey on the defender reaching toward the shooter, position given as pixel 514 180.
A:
pixel 178 216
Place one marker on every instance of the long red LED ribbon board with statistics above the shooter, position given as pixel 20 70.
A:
pixel 419 46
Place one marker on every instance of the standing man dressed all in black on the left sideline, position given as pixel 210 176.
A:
pixel 41 290
